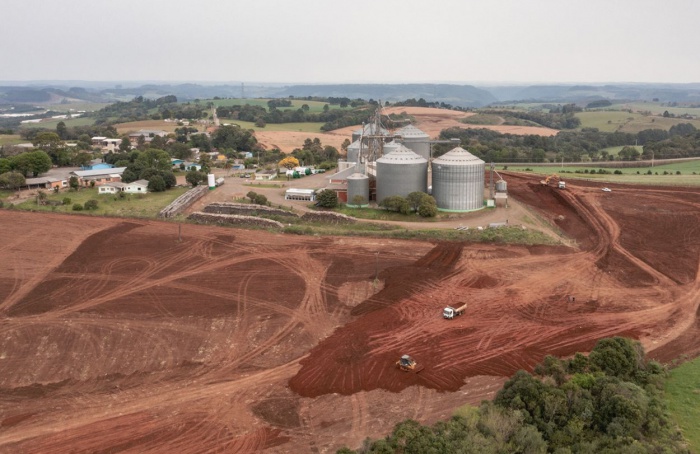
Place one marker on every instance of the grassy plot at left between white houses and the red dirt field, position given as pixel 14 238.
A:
pixel 134 205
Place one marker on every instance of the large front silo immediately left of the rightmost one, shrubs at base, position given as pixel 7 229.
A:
pixel 401 172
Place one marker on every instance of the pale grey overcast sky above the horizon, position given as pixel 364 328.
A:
pixel 365 41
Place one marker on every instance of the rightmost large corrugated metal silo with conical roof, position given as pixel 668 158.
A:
pixel 458 181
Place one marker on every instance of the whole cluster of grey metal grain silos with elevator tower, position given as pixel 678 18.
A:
pixel 381 163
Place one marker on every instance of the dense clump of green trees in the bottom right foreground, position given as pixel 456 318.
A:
pixel 610 402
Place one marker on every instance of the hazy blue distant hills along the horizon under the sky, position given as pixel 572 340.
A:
pixel 454 94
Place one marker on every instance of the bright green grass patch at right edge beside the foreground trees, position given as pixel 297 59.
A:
pixel 683 394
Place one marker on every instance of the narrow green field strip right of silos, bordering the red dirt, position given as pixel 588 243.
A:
pixel 629 175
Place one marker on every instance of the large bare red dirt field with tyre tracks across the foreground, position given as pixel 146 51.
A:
pixel 116 337
